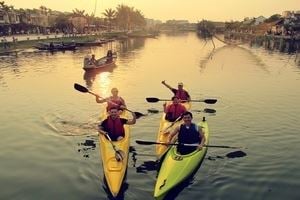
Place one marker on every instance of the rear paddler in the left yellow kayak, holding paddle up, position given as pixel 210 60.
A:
pixel 113 101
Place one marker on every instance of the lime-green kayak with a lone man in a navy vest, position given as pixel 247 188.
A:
pixel 176 168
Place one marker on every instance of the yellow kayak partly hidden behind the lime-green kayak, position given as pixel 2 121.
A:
pixel 166 126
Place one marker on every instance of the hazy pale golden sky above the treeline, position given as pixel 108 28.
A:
pixel 191 10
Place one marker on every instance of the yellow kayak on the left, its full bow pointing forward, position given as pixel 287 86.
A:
pixel 114 171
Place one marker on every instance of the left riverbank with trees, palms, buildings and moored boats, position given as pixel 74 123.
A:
pixel 27 28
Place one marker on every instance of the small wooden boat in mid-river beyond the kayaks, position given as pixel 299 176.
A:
pixel 101 63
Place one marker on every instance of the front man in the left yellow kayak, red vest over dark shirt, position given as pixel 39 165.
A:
pixel 114 124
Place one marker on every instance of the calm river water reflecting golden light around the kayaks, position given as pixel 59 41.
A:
pixel 49 146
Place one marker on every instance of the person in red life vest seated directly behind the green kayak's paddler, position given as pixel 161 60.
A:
pixel 174 110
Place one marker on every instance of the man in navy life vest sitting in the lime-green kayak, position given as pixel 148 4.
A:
pixel 187 133
